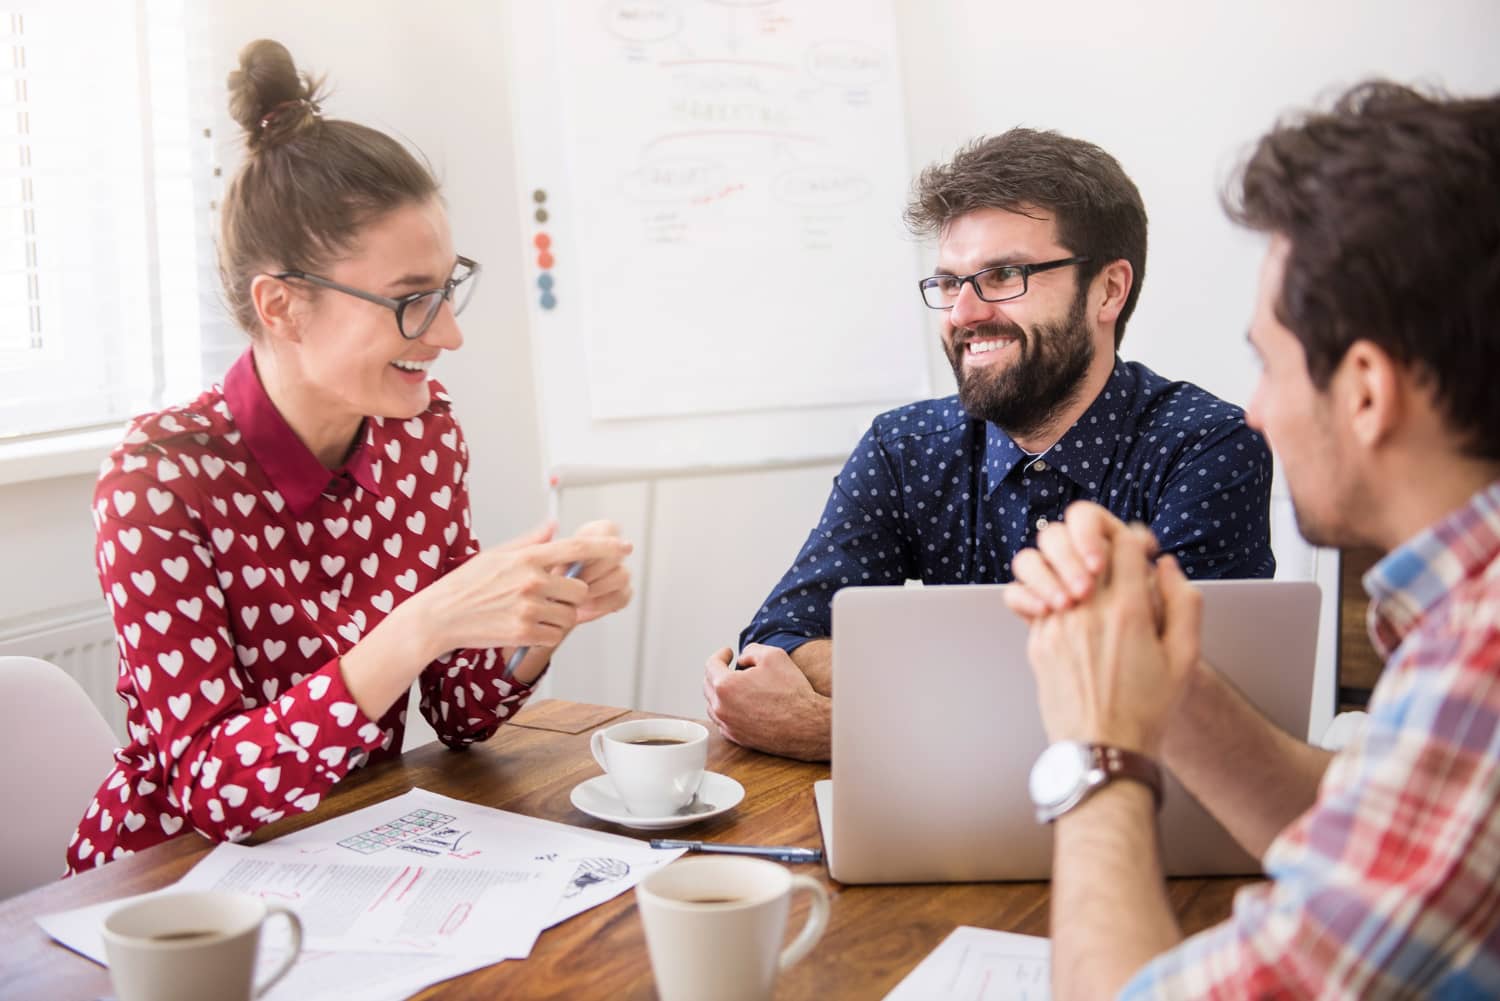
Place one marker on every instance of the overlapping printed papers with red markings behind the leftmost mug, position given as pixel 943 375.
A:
pixel 406 894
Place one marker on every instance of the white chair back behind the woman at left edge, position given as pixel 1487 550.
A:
pixel 56 751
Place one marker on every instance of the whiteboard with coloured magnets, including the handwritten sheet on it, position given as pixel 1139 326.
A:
pixel 712 197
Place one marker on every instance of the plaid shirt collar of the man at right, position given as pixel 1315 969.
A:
pixel 1418 576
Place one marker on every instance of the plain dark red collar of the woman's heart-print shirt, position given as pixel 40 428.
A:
pixel 290 466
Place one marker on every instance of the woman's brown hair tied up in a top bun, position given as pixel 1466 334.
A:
pixel 308 184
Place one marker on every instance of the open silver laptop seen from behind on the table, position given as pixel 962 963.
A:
pixel 935 729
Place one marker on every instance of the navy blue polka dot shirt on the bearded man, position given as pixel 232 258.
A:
pixel 937 496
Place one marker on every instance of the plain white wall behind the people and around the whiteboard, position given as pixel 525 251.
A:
pixel 1175 89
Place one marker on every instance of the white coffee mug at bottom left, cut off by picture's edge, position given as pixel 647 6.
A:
pixel 191 946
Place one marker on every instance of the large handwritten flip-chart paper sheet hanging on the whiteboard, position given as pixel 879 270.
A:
pixel 742 169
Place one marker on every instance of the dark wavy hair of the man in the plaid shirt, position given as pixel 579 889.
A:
pixel 1391 206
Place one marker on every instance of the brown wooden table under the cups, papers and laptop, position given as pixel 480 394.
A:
pixel 875 934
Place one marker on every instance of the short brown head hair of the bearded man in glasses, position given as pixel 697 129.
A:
pixel 1097 208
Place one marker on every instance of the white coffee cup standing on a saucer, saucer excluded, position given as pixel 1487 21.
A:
pixel 656 765
